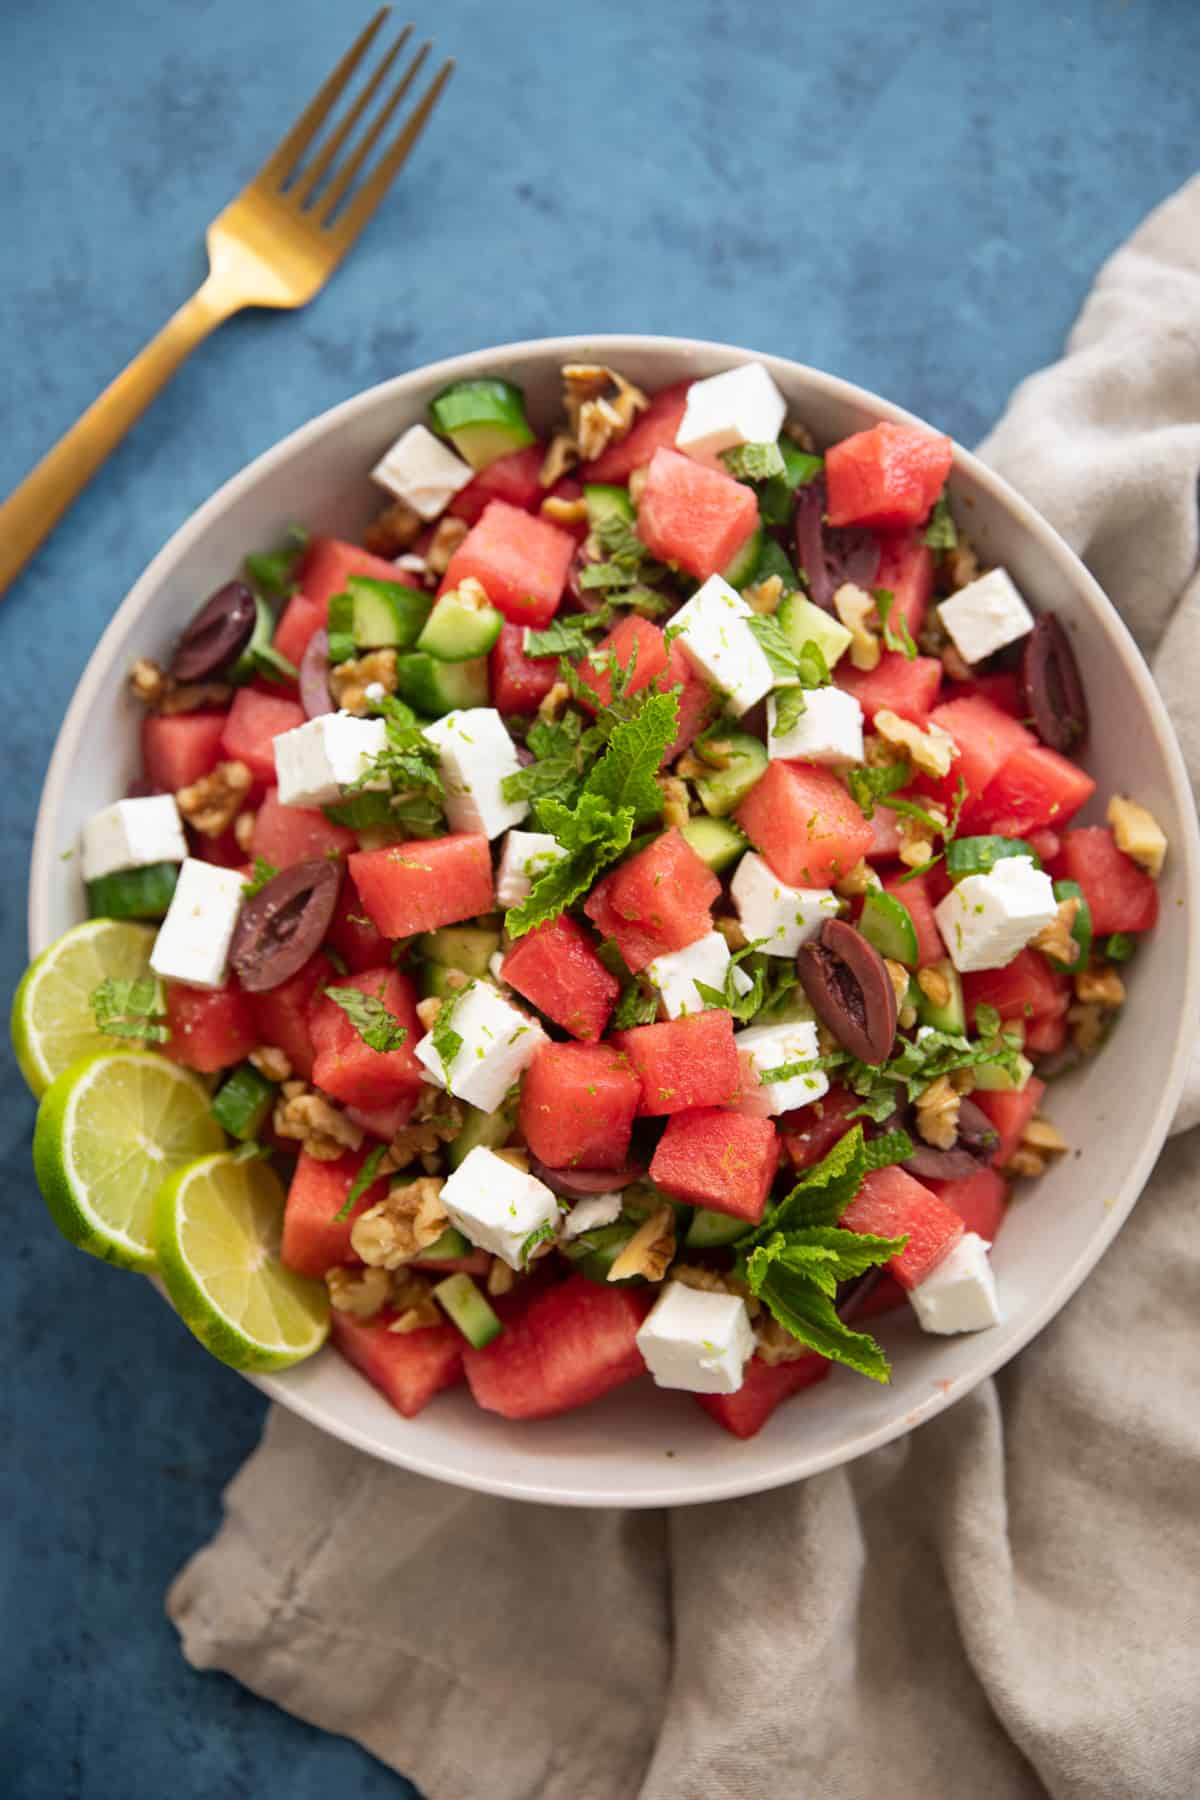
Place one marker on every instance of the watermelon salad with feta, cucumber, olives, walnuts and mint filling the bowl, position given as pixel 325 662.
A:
pixel 638 890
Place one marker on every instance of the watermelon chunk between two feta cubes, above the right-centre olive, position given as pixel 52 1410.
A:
pixel 805 823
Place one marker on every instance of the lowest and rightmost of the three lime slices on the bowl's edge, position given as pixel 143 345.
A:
pixel 217 1230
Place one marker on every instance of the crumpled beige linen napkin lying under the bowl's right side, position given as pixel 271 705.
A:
pixel 999 1606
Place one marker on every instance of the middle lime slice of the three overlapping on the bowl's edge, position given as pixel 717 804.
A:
pixel 109 1131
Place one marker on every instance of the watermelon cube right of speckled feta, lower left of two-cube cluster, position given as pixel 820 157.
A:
pixel 578 1106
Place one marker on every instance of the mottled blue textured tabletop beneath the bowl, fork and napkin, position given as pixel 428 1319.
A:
pixel 911 197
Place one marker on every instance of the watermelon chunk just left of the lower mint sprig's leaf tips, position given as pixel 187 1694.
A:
pixel 721 1160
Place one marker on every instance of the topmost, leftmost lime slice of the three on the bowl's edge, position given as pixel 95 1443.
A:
pixel 51 1020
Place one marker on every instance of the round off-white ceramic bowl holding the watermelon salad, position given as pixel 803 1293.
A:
pixel 647 1448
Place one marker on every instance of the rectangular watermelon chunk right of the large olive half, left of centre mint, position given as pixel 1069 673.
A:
pixel 425 883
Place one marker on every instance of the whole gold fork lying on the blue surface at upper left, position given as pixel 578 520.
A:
pixel 274 246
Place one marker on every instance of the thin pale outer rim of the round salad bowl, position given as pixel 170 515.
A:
pixel 1057 552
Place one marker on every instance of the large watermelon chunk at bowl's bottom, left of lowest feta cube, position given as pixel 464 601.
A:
pixel 568 1347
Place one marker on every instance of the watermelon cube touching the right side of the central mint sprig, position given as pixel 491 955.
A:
pixel 658 901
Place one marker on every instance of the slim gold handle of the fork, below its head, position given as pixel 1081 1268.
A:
pixel 64 472
